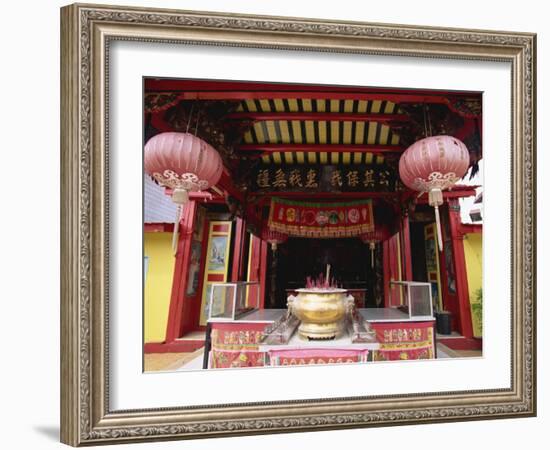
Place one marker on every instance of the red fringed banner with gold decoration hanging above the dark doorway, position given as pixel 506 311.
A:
pixel 321 220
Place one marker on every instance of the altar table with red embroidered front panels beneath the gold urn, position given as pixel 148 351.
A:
pixel 237 343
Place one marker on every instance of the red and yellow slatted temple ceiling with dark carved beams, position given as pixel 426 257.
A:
pixel 258 126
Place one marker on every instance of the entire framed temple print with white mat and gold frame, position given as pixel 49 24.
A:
pixel 261 215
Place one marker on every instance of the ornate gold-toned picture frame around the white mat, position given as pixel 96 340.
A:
pixel 87 31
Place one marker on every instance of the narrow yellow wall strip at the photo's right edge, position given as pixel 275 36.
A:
pixel 473 254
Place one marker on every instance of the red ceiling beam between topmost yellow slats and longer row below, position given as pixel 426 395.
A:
pixel 259 116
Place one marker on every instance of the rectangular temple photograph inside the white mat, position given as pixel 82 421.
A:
pixel 296 224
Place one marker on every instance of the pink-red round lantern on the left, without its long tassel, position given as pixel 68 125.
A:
pixel 182 162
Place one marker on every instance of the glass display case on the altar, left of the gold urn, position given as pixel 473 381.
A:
pixel 230 301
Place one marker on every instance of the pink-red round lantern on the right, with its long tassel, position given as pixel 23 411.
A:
pixel 432 165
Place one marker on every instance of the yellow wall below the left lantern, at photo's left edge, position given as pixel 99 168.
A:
pixel 158 284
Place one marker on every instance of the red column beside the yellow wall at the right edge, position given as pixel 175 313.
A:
pixel 462 292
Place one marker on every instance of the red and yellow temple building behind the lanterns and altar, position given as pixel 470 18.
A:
pixel 310 178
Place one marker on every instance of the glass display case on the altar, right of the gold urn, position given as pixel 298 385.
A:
pixel 414 298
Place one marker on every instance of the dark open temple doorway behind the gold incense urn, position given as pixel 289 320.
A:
pixel 350 262
